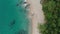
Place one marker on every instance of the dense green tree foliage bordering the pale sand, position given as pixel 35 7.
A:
pixel 51 10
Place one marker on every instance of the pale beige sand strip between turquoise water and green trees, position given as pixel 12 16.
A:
pixel 36 15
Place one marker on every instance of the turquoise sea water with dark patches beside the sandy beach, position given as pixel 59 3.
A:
pixel 13 17
